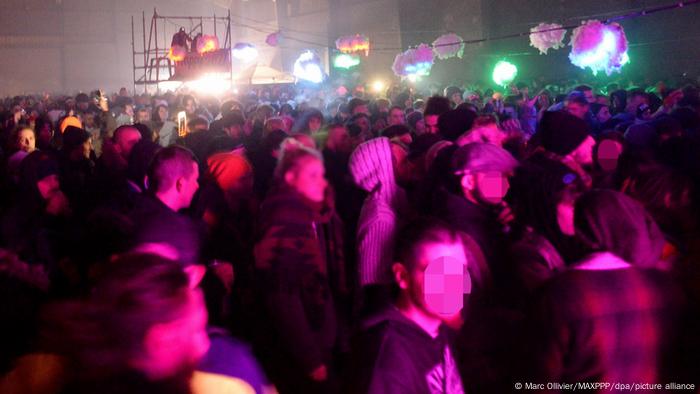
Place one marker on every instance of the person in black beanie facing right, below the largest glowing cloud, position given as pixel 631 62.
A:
pixel 565 139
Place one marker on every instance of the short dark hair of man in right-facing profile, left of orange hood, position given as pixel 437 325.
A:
pixel 169 164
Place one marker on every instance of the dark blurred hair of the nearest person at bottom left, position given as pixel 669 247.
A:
pixel 102 333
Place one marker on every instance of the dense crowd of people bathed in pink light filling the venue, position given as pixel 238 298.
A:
pixel 319 241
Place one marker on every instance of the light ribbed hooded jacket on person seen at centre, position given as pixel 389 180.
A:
pixel 372 170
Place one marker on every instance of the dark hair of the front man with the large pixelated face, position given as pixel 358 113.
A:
pixel 416 234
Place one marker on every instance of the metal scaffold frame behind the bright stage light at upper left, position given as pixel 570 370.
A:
pixel 151 65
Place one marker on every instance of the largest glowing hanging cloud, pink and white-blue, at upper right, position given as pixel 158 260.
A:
pixel 599 47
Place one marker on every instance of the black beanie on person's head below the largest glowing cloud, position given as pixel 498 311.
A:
pixel 562 132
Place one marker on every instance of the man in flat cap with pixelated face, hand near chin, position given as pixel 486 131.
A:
pixel 475 204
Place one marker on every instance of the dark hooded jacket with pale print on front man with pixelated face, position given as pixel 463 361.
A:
pixel 394 355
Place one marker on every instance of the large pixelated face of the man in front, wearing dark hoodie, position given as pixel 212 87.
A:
pixel 440 279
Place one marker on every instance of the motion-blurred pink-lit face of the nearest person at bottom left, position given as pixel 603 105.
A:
pixel 178 345
